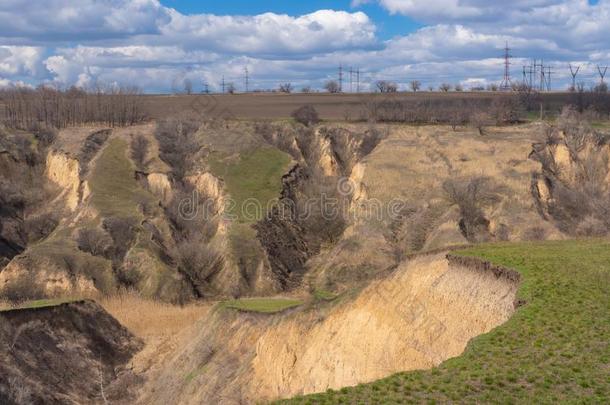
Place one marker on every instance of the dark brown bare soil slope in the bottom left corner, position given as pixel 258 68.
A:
pixel 68 353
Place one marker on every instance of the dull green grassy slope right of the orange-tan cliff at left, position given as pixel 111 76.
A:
pixel 115 191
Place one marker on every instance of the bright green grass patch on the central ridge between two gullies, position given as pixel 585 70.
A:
pixel 255 177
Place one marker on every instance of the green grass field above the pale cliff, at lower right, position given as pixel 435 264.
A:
pixel 555 348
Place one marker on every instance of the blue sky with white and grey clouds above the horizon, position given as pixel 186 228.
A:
pixel 158 44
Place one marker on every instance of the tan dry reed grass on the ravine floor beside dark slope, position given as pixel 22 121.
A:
pixel 149 318
